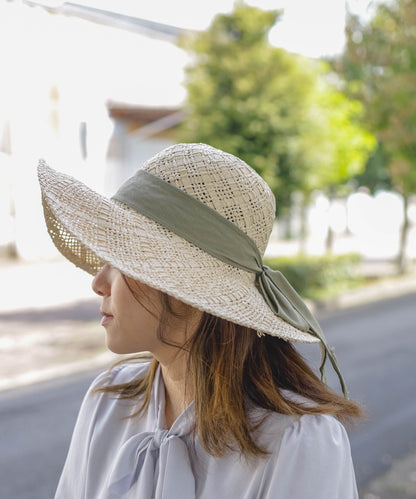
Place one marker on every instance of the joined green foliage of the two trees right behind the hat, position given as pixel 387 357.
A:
pixel 274 109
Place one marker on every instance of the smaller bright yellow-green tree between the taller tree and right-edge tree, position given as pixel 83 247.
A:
pixel 334 146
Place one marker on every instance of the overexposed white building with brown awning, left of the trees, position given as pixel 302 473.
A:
pixel 81 93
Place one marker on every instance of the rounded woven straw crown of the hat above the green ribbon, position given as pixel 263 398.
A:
pixel 221 181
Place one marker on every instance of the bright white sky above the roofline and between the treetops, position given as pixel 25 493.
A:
pixel 312 28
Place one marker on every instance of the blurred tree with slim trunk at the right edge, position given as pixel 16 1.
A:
pixel 379 64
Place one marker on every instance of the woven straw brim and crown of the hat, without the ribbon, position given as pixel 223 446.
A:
pixel 91 230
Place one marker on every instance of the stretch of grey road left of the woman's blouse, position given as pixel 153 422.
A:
pixel 36 425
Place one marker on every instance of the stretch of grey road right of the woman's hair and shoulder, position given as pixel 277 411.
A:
pixel 376 345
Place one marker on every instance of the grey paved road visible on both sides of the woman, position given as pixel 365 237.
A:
pixel 376 348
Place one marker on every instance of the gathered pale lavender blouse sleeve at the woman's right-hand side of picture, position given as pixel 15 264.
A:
pixel 314 460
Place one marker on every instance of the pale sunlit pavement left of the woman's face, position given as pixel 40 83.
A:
pixel 49 323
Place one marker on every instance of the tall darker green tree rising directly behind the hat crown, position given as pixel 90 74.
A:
pixel 247 97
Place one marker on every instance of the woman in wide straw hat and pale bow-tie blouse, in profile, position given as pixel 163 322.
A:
pixel 223 406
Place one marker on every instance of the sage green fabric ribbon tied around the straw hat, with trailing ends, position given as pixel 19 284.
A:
pixel 202 226
